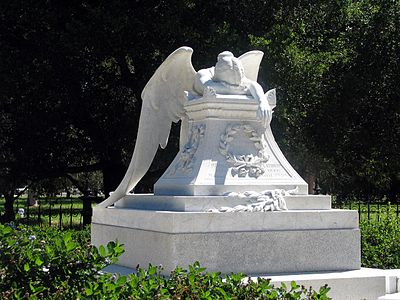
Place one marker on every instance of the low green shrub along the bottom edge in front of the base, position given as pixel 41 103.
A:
pixel 195 283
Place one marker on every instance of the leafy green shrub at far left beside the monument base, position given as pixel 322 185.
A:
pixel 38 263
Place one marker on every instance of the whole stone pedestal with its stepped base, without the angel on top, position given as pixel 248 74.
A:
pixel 227 151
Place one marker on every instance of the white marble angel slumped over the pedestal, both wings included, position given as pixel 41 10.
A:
pixel 164 98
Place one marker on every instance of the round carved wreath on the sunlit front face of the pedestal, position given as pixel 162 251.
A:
pixel 247 164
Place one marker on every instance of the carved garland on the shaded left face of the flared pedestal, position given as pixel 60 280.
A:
pixel 186 158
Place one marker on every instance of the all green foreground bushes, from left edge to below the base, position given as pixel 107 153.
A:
pixel 38 263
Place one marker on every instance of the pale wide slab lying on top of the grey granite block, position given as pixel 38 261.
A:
pixel 193 222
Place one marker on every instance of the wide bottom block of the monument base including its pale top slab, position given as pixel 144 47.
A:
pixel 248 242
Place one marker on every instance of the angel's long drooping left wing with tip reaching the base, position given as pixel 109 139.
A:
pixel 163 99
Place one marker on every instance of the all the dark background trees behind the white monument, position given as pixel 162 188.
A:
pixel 72 74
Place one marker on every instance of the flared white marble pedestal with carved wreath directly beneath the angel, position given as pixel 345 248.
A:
pixel 227 150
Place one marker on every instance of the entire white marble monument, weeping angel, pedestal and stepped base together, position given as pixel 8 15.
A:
pixel 230 199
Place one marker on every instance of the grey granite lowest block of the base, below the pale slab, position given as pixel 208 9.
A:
pixel 251 252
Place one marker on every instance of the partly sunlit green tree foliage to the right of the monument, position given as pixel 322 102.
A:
pixel 336 66
